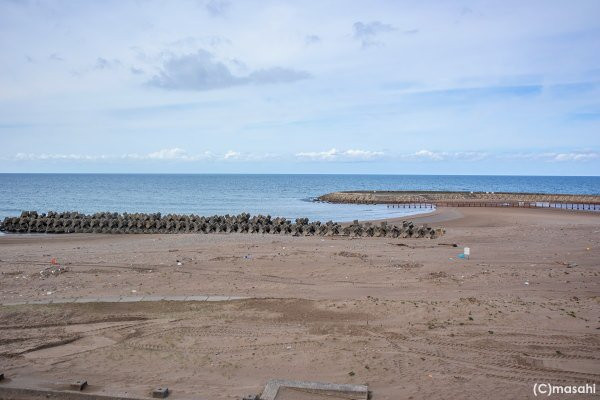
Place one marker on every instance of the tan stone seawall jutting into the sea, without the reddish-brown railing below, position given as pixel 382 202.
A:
pixel 399 197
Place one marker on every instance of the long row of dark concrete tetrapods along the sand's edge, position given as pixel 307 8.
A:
pixel 115 223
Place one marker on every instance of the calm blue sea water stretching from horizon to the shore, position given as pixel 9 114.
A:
pixel 278 195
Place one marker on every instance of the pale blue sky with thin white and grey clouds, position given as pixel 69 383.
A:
pixel 375 87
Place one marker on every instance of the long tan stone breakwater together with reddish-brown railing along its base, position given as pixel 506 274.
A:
pixel 472 199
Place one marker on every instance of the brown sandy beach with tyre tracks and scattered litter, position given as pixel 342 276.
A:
pixel 405 316
